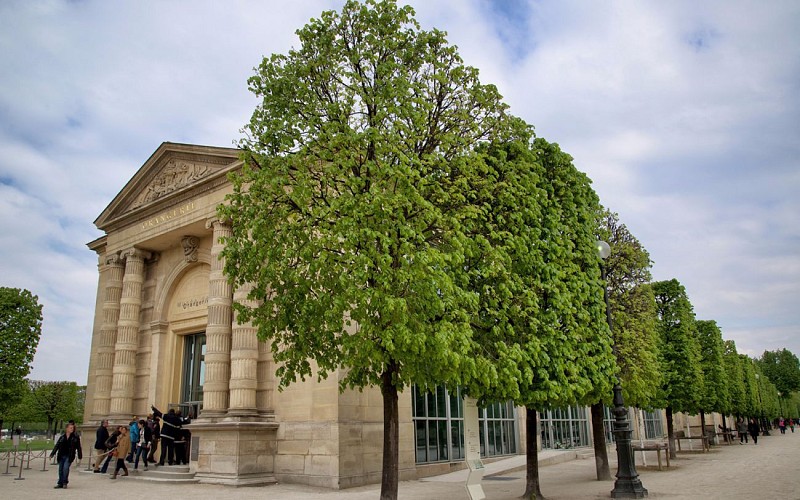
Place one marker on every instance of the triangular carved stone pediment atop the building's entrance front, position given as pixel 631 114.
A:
pixel 170 172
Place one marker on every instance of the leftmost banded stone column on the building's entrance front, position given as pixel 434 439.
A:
pixel 113 269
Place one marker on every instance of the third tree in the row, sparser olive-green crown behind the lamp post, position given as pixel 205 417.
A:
pixel 633 326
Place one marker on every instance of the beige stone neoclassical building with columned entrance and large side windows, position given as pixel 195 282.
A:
pixel 164 334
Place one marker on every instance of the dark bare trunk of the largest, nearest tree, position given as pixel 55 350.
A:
pixel 391 435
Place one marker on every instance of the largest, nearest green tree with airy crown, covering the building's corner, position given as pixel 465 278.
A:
pixel 347 216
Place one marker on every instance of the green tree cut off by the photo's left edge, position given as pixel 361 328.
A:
pixel 20 329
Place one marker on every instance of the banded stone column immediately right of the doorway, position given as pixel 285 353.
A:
pixel 218 330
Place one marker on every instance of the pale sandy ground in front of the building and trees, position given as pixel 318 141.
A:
pixel 769 470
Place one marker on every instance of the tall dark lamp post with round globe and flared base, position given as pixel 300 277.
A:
pixel 628 484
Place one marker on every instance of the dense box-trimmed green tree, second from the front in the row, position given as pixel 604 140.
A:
pixel 533 260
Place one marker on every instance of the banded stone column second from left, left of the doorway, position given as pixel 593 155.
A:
pixel 124 371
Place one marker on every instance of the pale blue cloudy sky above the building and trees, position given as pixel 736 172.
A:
pixel 685 115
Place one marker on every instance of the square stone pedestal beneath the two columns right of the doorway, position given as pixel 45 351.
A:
pixel 234 451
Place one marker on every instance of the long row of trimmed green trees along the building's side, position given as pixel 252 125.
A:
pixel 396 226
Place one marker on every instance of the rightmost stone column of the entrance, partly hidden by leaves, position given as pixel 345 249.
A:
pixel 244 362
